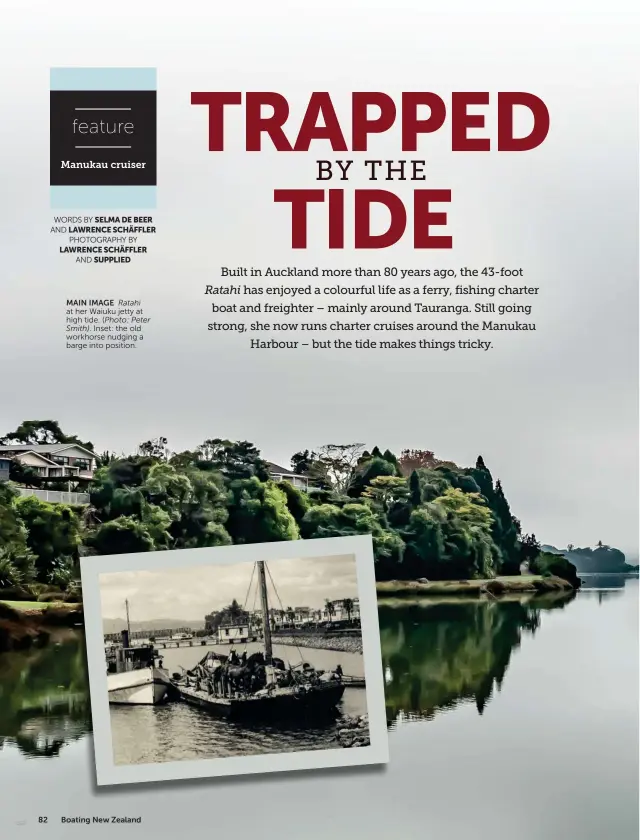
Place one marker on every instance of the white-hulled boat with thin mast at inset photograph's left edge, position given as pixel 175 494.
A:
pixel 134 674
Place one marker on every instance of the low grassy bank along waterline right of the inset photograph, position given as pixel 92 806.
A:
pixel 474 588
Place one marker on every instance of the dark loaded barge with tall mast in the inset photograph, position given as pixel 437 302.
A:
pixel 260 686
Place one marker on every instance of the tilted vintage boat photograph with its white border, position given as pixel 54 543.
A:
pixel 233 660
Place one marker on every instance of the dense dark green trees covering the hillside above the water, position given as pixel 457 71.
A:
pixel 427 517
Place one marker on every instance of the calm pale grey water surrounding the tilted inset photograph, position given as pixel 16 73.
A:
pixel 507 719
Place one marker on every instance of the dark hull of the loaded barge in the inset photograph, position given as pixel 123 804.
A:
pixel 321 701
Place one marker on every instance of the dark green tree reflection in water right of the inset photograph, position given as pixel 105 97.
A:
pixel 438 654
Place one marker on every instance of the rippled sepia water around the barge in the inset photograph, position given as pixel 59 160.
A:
pixel 177 732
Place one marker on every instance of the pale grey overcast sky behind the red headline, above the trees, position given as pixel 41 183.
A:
pixel 554 412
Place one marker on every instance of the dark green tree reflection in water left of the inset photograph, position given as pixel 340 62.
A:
pixel 44 696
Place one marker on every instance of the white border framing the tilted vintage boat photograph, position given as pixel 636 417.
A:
pixel 109 773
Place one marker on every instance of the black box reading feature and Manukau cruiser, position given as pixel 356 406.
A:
pixel 112 133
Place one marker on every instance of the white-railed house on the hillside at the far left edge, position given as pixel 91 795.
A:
pixel 53 460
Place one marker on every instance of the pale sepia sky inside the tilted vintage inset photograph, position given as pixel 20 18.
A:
pixel 194 591
